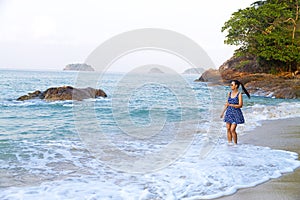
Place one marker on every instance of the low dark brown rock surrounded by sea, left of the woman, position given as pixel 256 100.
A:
pixel 64 93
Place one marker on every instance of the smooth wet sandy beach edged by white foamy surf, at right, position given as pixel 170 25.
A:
pixel 277 134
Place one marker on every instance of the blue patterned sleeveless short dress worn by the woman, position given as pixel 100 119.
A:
pixel 234 115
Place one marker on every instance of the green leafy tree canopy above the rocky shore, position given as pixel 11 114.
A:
pixel 268 30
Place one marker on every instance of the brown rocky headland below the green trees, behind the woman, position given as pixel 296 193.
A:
pixel 247 71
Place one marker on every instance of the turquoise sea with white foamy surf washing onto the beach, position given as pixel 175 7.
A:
pixel 46 150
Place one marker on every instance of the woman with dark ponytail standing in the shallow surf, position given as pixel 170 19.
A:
pixel 234 115
